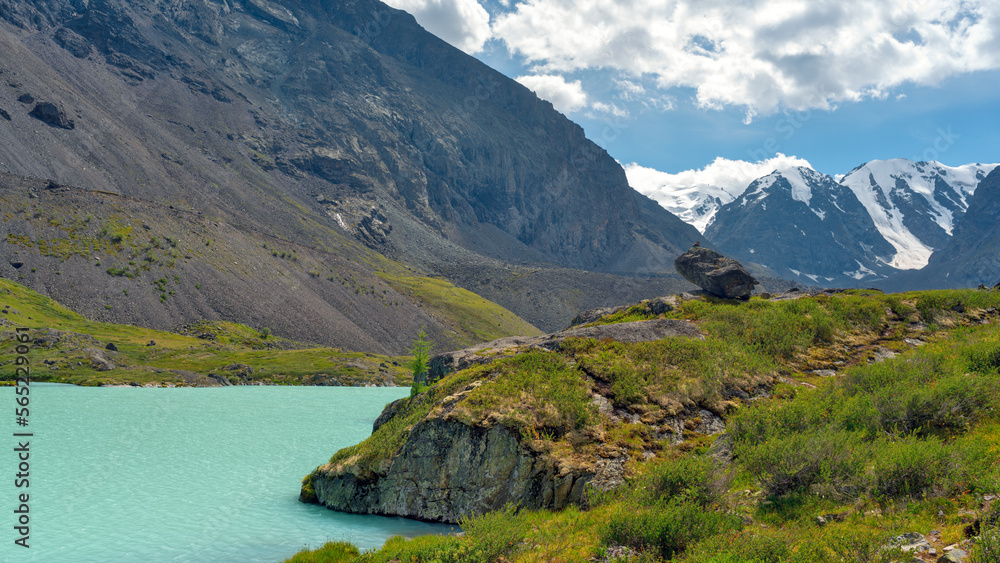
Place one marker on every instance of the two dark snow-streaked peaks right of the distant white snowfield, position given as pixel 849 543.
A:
pixel 881 218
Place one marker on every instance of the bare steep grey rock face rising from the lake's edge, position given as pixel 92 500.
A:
pixel 448 469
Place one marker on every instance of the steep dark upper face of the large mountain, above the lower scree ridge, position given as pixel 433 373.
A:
pixel 327 124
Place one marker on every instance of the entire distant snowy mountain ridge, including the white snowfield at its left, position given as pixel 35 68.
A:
pixel 905 208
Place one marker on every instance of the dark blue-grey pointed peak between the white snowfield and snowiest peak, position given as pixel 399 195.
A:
pixel 804 225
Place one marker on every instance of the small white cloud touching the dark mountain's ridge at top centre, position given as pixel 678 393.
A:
pixel 463 23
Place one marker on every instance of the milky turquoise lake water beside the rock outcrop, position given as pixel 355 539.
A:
pixel 178 475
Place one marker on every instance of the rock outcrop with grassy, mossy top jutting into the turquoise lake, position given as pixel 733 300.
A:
pixel 459 459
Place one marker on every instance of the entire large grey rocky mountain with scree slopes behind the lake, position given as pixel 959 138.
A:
pixel 341 128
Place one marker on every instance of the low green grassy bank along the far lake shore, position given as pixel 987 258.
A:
pixel 65 344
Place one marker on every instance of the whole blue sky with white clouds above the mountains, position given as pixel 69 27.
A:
pixel 706 90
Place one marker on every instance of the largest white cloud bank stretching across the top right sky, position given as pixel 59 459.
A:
pixel 762 55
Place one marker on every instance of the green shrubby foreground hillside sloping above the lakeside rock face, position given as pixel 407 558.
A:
pixel 878 413
